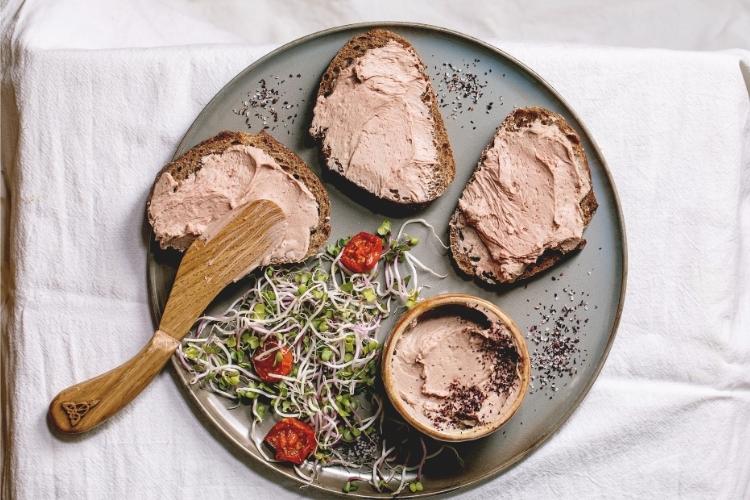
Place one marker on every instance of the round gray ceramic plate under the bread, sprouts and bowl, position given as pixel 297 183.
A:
pixel 596 275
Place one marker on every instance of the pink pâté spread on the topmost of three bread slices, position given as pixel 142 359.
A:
pixel 377 128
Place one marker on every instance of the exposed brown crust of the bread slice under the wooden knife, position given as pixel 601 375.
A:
pixel 191 162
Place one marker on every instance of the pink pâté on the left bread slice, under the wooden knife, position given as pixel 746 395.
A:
pixel 181 211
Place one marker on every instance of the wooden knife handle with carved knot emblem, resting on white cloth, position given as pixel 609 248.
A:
pixel 82 407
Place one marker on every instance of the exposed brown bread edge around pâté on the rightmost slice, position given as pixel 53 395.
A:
pixel 518 120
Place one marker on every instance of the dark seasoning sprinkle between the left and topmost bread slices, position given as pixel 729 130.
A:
pixel 263 109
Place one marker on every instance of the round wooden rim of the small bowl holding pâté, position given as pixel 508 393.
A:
pixel 470 302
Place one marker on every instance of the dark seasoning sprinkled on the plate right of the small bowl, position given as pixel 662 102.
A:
pixel 556 335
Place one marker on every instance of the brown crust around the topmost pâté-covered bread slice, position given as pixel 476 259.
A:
pixel 356 48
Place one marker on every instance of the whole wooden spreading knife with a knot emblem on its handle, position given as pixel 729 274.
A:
pixel 206 268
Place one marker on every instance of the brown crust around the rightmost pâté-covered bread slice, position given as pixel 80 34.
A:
pixel 518 119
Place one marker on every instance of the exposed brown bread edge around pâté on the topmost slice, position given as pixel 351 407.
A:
pixel 444 171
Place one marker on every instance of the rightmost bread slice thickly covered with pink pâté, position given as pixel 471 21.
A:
pixel 530 195
